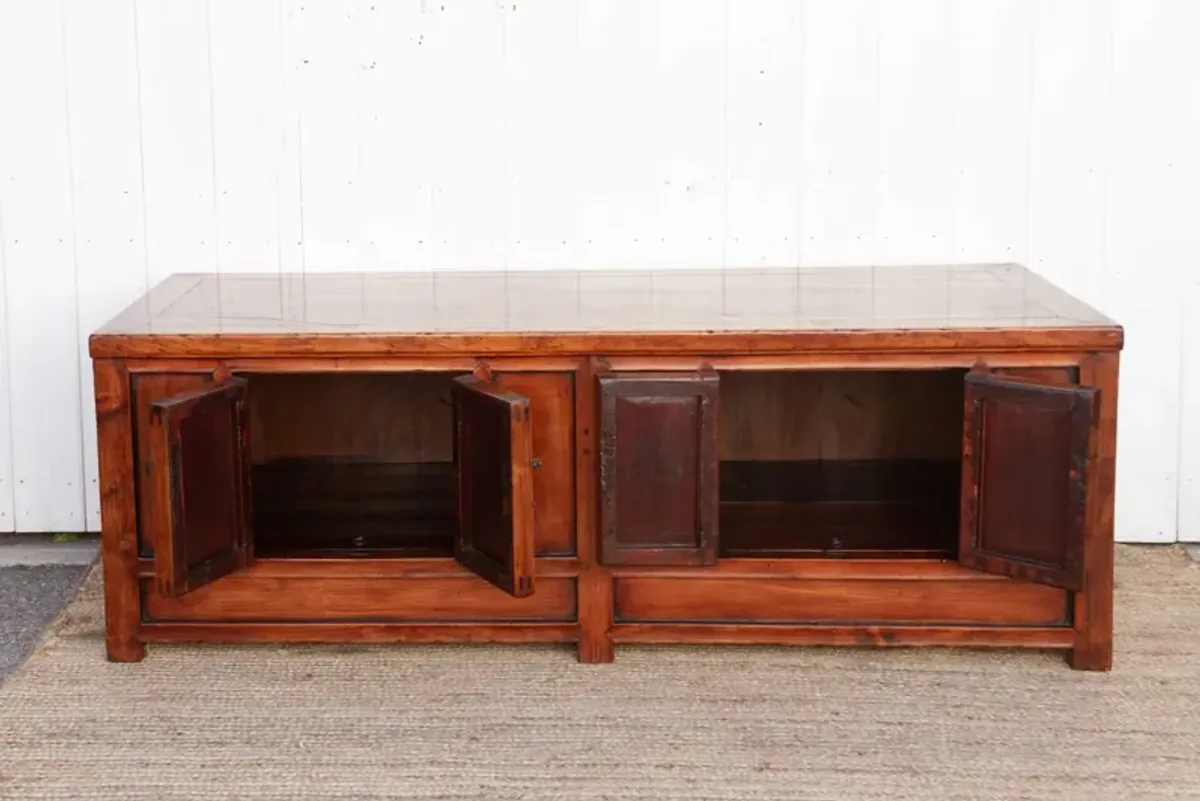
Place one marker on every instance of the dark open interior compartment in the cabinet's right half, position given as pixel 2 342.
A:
pixel 848 463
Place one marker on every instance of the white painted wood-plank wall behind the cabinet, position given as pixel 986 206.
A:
pixel 145 137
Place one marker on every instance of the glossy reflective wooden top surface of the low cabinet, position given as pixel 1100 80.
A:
pixel 628 302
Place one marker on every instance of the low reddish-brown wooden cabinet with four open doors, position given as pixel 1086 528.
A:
pixel 877 456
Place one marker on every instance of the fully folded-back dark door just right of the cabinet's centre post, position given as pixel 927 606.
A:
pixel 659 469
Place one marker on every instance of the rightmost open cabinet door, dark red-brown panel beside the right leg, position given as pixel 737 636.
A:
pixel 1027 454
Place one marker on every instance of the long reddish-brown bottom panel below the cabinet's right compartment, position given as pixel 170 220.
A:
pixel 835 601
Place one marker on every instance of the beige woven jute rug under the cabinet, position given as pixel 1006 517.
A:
pixel 529 722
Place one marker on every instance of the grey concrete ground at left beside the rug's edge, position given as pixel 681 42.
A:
pixel 38 577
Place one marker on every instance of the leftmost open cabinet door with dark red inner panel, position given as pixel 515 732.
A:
pixel 200 486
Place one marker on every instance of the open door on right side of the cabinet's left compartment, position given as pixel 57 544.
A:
pixel 494 484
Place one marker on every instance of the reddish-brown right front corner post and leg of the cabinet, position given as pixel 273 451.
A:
pixel 1094 606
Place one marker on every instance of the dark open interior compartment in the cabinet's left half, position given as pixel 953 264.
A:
pixel 352 465
